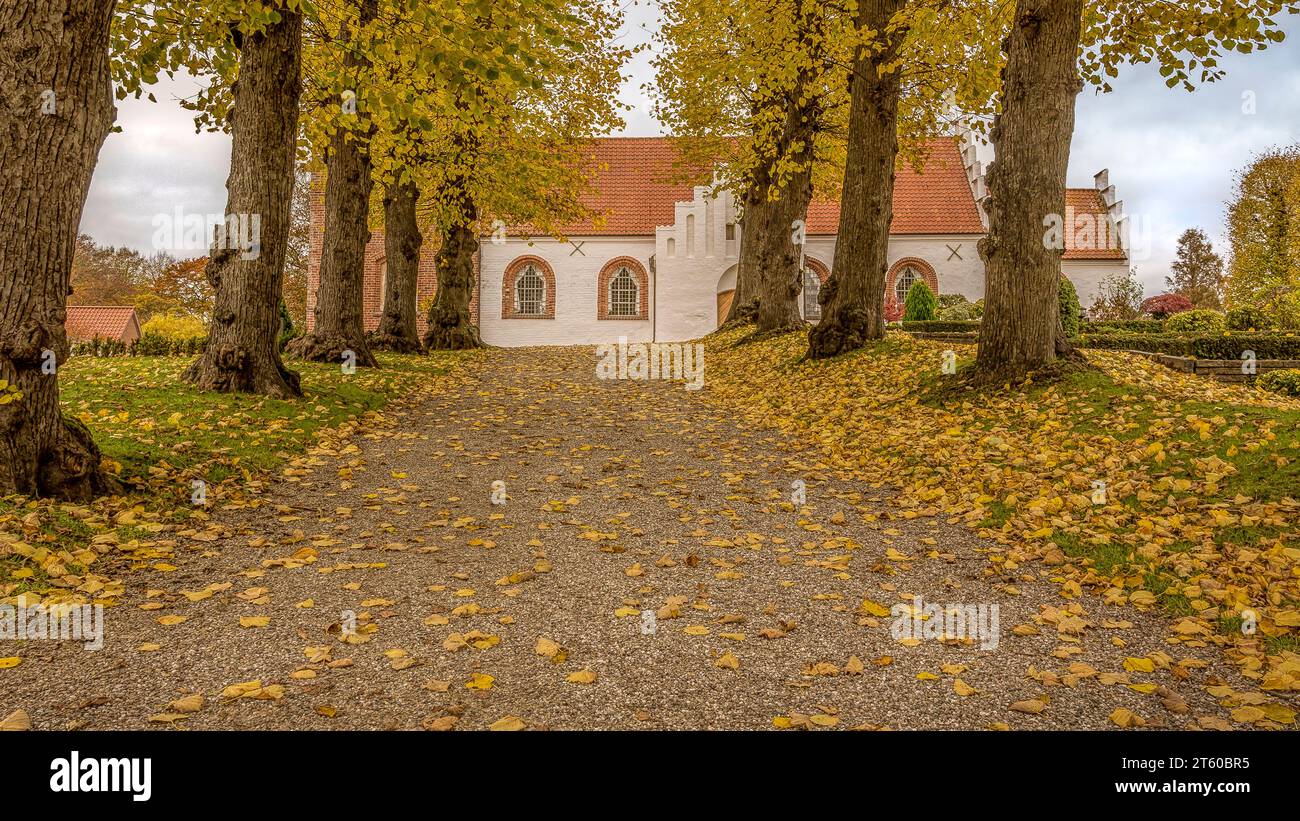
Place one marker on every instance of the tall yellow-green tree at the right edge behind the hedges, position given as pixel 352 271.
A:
pixel 1264 228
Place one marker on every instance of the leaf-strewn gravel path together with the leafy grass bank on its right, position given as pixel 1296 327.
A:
pixel 631 497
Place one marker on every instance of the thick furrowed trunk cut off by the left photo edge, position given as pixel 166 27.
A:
pixel 57 108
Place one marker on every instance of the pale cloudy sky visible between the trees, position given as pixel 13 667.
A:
pixel 1172 155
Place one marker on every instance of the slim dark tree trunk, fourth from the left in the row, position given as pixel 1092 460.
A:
pixel 402 241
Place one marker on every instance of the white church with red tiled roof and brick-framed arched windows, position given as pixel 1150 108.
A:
pixel 660 266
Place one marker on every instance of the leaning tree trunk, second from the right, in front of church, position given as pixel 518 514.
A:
pixel 853 299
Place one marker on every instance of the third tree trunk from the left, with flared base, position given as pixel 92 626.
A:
pixel 339 329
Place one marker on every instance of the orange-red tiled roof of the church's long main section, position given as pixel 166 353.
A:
pixel 634 190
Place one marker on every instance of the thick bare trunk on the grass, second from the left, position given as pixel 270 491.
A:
pixel 244 338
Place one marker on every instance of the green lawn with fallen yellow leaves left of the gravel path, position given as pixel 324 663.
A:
pixel 159 435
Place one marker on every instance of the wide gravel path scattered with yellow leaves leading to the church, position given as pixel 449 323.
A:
pixel 621 498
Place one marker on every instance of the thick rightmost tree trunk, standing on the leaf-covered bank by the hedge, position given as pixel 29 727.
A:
pixel 1021 329
